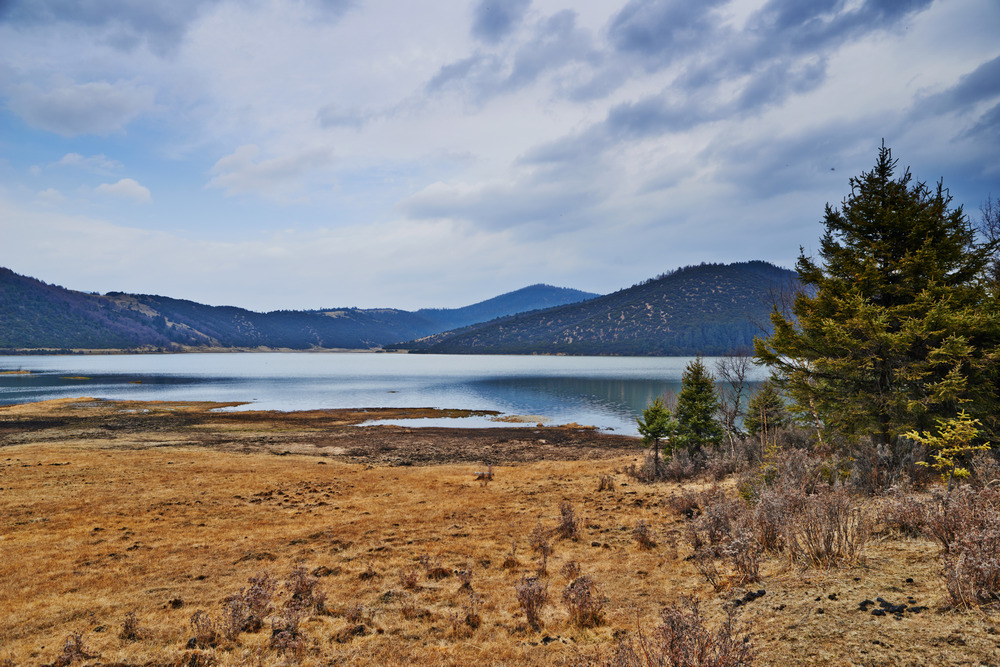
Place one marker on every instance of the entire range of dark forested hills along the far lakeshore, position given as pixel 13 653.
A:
pixel 707 309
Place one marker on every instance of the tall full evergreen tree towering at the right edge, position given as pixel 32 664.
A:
pixel 896 324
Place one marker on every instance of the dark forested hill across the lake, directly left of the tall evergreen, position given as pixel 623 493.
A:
pixel 707 309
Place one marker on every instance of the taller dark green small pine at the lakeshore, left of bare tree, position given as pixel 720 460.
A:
pixel 697 407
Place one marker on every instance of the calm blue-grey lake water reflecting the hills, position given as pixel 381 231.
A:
pixel 607 392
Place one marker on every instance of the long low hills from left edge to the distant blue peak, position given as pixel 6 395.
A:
pixel 36 315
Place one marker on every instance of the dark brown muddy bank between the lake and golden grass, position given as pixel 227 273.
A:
pixel 322 433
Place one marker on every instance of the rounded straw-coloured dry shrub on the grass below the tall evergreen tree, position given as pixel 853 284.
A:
pixel 831 529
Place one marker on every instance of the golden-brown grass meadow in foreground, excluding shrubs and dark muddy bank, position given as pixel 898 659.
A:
pixel 92 531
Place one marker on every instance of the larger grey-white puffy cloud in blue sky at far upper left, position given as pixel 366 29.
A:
pixel 71 109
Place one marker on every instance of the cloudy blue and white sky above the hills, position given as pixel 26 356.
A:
pixel 300 154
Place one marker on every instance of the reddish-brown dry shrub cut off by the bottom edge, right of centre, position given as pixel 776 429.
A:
pixel 684 640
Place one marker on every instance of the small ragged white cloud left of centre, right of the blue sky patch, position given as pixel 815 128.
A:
pixel 242 173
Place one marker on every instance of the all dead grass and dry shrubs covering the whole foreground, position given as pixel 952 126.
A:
pixel 159 552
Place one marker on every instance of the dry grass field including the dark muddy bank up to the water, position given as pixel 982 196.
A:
pixel 131 533
